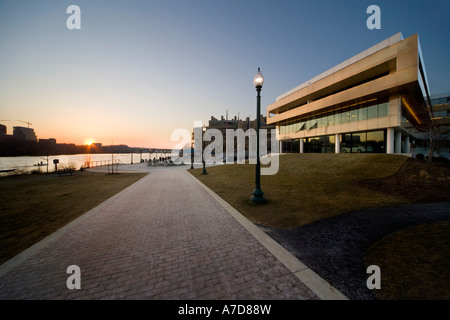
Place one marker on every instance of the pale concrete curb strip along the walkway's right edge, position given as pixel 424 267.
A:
pixel 317 284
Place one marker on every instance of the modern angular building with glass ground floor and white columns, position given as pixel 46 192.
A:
pixel 376 101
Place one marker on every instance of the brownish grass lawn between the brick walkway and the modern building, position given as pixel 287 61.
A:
pixel 307 187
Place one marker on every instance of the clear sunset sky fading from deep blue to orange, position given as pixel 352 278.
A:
pixel 138 70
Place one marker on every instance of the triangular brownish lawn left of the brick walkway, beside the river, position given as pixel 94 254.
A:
pixel 34 206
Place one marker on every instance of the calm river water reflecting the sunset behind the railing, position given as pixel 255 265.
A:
pixel 28 164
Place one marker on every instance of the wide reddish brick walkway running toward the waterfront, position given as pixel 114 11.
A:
pixel 164 237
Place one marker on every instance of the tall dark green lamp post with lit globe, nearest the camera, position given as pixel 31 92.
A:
pixel 257 194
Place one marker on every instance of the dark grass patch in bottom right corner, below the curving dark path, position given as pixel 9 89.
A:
pixel 414 263
